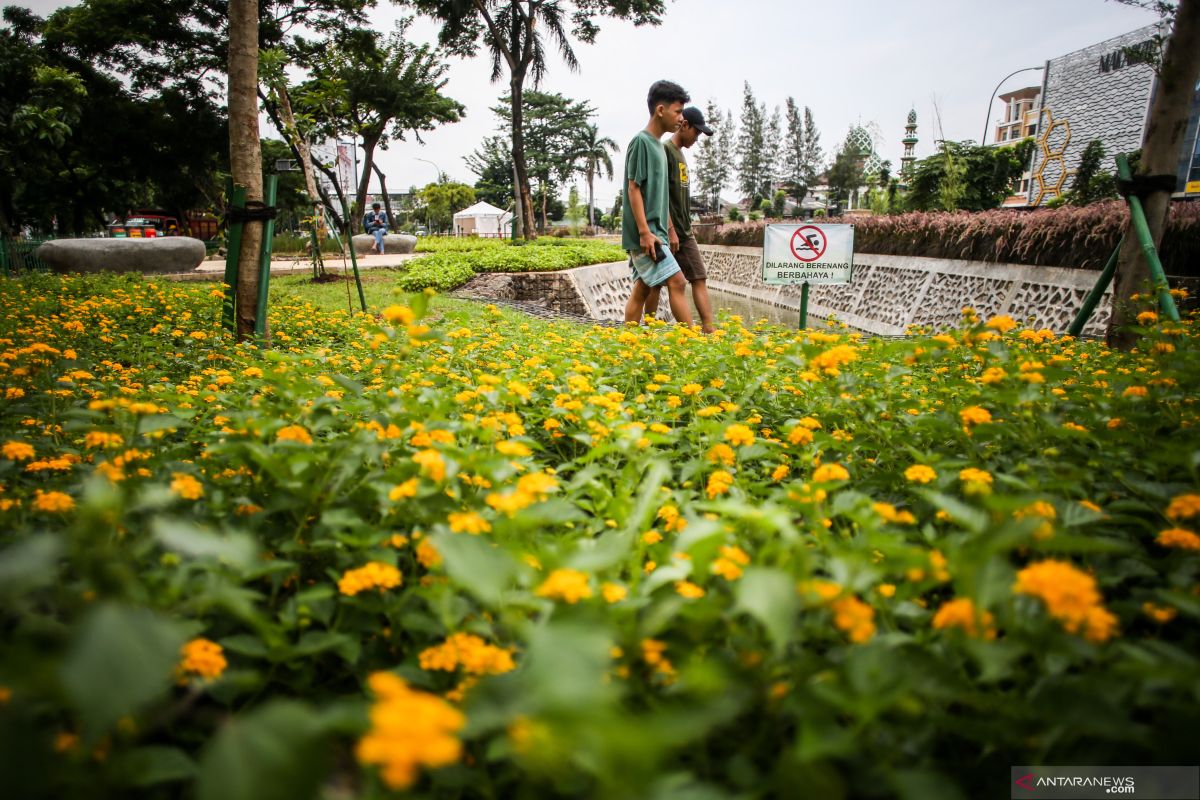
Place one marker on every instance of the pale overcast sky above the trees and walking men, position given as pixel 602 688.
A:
pixel 856 62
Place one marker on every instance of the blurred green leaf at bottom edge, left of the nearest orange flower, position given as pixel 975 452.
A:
pixel 273 754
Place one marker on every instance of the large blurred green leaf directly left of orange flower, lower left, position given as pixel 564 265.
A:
pixel 122 660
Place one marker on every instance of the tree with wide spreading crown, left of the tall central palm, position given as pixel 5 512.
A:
pixel 375 89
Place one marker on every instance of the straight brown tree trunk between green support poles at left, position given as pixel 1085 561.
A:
pixel 245 152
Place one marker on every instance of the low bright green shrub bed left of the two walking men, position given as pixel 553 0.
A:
pixel 449 267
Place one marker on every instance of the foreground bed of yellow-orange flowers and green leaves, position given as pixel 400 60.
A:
pixel 476 556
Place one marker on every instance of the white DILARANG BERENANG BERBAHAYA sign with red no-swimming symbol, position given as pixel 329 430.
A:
pixel 808 254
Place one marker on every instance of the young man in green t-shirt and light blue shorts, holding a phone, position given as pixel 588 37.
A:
pixel 646 208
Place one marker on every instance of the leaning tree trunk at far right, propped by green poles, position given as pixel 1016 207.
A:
pixel 1160 157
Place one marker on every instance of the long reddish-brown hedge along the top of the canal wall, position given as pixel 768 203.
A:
pixel 1081 238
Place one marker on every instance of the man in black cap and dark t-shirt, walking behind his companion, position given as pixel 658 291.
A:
pixel 682 242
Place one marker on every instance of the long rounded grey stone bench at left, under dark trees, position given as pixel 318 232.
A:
pixel 149 256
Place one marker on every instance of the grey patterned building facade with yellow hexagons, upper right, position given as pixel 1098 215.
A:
pixel 1100 93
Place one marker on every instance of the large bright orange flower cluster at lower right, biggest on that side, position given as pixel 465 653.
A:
pixel 1071 597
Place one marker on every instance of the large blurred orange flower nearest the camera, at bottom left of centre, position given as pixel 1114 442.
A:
pixel 410 730
